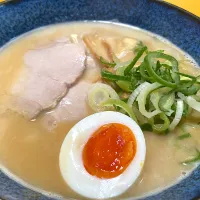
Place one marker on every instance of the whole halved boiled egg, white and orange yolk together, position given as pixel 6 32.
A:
pixel 102 155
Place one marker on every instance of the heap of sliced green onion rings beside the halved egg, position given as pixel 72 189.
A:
pixel 155 85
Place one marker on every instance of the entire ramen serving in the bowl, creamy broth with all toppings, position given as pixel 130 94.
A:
pixel 54 77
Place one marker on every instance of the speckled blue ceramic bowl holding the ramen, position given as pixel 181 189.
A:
pixel 178 26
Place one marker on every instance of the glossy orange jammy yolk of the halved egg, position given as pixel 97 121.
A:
pixel 109 151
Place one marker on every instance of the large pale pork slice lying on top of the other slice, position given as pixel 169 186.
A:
pixel 48 74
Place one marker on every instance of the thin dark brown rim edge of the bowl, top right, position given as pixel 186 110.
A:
pixel 170 5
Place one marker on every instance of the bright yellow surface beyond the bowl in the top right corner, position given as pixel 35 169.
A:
pixel 192 6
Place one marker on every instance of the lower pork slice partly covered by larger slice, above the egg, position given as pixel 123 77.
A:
pixel 72 107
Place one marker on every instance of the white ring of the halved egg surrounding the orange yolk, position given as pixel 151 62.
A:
pixel 71 164
